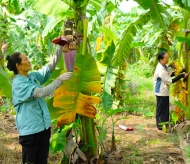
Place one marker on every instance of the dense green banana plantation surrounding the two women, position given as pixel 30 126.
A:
pixel 107 41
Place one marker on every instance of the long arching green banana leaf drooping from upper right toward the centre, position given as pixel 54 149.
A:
pixel 155 12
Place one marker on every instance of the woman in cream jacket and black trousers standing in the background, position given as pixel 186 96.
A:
pixel 162 82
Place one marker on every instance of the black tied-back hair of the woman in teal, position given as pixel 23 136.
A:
pixel 12 61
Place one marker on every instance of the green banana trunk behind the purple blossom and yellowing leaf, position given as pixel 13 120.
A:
pixel 88 135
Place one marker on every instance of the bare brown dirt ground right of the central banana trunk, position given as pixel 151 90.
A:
pixel 146 144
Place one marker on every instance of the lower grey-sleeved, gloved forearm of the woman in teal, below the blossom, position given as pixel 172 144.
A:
pixel 47 90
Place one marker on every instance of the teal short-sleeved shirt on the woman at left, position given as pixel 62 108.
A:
pixel 32 115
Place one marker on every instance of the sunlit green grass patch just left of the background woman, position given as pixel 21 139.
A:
pixel 139 92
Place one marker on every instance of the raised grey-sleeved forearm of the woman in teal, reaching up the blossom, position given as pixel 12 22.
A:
pixel 52 64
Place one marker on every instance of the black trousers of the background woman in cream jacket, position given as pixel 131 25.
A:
pixel 162 110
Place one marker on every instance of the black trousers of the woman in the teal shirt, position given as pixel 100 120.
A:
pixel 35 147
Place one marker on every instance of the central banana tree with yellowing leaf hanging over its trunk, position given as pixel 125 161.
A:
pixel 86 78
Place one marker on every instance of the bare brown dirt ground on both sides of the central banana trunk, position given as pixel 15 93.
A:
pixel 144 145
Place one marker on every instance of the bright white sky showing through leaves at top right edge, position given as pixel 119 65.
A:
pixel 127 5
